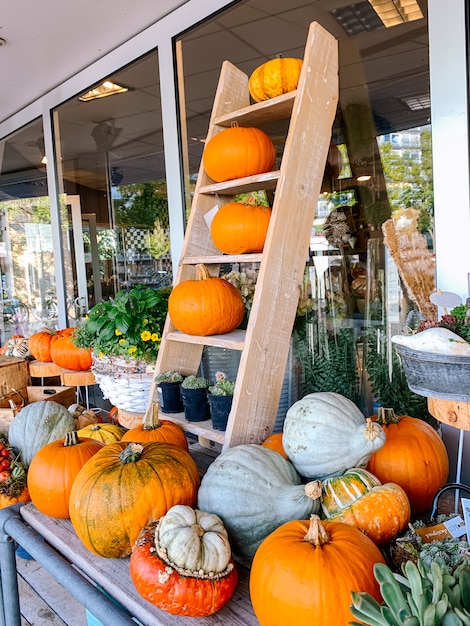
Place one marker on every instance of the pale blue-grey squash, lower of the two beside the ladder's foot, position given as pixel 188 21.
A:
pixel 254 490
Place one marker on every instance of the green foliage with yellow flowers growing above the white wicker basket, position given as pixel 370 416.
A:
pixel 129 325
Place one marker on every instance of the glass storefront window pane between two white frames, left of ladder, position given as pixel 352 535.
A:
pixel 113 190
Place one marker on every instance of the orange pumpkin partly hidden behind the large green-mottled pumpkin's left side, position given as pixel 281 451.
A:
pixel 53 470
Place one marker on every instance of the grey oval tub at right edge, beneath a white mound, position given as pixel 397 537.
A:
pixel 436 375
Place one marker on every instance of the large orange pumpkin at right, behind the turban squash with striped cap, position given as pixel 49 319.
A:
pixel 413 456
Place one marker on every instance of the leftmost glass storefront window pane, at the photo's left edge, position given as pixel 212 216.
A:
pixel 28 297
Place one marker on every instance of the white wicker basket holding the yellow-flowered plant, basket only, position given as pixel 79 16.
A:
pixel 125 383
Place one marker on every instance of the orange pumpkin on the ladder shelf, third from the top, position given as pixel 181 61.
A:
pixel 240 227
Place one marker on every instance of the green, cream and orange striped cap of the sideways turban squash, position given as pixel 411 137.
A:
pixel 339 492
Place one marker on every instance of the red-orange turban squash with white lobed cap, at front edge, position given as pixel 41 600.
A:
pixel 182 563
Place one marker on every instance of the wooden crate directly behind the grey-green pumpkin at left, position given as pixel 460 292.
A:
pixel 9 407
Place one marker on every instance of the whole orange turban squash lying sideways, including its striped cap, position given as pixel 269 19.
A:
pixel 355 498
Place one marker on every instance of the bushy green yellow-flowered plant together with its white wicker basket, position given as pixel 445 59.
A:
pixel 125 333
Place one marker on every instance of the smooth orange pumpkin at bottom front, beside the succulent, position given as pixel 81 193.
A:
pixel 303 573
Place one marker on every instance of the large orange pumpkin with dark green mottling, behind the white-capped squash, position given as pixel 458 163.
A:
pixel 125 486
